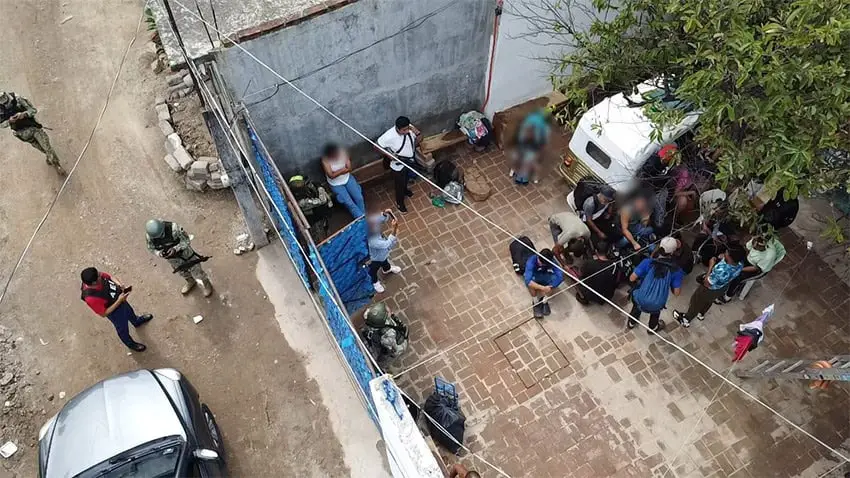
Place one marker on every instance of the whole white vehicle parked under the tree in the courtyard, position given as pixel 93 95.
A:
pixel 612 140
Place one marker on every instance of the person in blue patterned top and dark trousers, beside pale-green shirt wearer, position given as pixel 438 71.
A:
pixel 722 270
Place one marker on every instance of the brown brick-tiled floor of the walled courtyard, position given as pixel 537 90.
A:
pixel 577 395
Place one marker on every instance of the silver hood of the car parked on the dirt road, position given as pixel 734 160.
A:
pixel 109 418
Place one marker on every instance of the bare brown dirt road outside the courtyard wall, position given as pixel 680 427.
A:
pixel 51 344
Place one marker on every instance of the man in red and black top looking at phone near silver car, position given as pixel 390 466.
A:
pixel 108 298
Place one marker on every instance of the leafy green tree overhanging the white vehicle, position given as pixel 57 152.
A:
pixel 770 77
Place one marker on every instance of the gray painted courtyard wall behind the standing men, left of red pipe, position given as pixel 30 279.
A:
pixel 431 73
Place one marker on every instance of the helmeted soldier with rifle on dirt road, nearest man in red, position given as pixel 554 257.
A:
pixel 169 240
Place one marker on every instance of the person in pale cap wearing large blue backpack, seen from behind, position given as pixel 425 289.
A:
pixel 656 276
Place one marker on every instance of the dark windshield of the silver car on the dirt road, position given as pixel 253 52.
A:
pixel 155 459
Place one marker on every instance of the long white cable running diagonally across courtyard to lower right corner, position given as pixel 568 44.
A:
pixel 509 234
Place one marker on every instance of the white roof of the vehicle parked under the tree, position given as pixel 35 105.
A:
pixel 623 131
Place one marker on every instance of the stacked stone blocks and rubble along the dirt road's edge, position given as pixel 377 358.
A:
pixel 200 173
